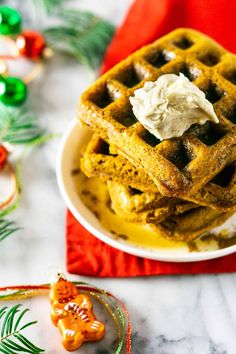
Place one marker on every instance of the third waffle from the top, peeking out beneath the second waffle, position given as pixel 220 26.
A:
pixel 143 207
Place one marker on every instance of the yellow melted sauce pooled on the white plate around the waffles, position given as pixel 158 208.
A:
pixel 94 194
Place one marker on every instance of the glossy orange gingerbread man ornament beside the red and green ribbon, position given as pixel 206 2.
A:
pixel 73 314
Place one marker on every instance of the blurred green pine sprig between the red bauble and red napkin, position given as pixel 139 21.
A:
pixel 82 35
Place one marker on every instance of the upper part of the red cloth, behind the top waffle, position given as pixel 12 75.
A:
pixel 148 20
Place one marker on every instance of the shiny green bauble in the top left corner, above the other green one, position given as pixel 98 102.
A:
pixel 10 21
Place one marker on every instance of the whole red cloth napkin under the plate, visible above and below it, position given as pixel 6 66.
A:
pixel 146 21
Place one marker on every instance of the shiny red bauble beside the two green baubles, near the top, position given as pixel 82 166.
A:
pixel 30 44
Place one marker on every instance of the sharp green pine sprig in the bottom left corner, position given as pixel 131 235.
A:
pixel 12 341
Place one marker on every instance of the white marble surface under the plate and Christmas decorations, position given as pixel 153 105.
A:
pixel 170 315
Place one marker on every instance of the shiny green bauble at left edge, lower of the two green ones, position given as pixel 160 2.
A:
pixel 13 91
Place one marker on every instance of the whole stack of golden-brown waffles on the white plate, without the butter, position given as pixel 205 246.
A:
pixel 182 186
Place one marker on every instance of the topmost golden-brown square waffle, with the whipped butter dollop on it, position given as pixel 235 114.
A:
pixel 180 166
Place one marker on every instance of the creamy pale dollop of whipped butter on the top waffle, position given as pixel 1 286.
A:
pixel 168 106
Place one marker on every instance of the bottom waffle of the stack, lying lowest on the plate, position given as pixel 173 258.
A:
pixel 191 224
